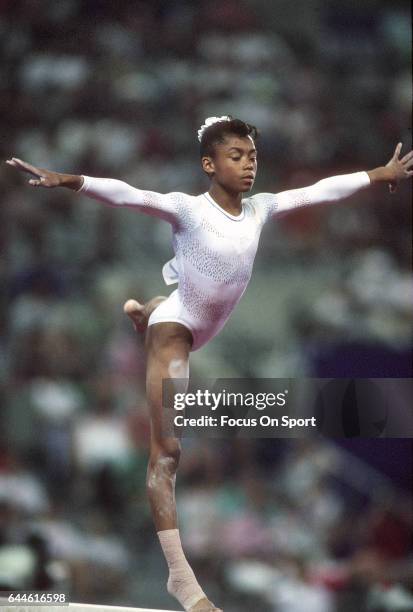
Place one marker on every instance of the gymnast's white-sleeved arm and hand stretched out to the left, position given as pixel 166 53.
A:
pixel 107 190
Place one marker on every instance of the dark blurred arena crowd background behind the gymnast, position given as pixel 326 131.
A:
pixel 120 89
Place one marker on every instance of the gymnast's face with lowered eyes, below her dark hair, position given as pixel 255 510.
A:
pixel 234 164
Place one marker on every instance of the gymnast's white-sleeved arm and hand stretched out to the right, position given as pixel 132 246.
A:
pixel 343 186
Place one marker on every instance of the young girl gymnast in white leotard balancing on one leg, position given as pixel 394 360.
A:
pixel 215 238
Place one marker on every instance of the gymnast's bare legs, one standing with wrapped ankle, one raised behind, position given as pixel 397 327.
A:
pixel 167 347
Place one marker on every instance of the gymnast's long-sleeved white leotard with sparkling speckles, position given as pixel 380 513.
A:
pixel 214 250
